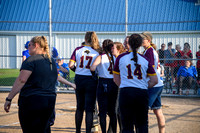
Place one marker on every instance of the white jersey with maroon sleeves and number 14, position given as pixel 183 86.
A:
pixel 130 75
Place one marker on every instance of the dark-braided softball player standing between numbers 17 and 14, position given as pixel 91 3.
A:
pixel 107 90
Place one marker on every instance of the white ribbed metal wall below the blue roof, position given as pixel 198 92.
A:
pixel 67 42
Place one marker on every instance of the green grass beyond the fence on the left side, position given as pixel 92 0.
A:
pixel 8 76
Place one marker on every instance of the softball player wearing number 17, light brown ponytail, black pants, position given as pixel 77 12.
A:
pixel 86 85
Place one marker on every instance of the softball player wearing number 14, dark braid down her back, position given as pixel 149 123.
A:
pixel 130 74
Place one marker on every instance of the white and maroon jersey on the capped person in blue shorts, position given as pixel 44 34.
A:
pixel 152 55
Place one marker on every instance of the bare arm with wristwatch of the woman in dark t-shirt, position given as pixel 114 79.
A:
pixel 17 86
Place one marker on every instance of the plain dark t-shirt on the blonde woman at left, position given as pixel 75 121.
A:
pixel 42 79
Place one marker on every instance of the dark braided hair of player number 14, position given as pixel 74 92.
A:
pixel 135 41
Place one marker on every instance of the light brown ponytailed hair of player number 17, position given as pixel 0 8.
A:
pixel 92 39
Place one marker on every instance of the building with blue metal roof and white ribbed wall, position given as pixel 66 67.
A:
pixel 177 21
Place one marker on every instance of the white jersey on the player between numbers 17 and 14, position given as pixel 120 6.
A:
pixel 105 69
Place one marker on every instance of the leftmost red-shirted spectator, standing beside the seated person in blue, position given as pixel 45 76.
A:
pixel 178 63
